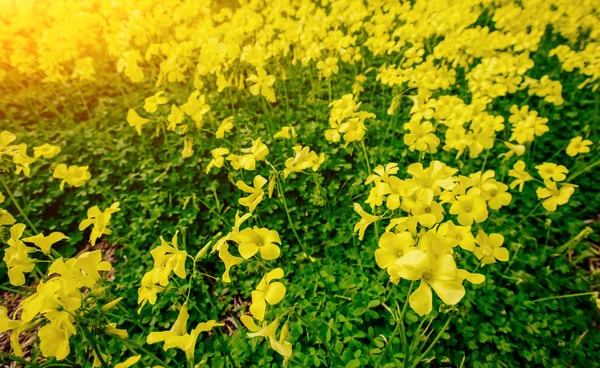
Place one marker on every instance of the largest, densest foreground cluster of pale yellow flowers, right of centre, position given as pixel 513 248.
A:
pixel 418 245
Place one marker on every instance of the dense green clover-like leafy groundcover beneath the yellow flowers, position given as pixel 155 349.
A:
pixel 342 295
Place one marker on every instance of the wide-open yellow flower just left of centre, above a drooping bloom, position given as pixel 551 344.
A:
pixel 257 239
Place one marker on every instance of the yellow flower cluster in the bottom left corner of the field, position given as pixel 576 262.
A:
pixel 58 299
